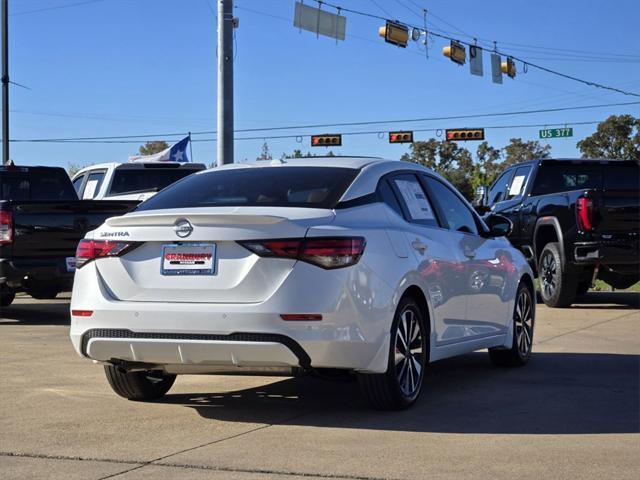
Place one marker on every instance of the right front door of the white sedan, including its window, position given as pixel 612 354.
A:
pixel 485 267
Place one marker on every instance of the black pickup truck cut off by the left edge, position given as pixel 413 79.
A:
pixel 41 223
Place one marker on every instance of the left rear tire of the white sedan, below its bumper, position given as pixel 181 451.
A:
pixel 139 385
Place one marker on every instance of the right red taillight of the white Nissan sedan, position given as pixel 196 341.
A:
pixel 325 252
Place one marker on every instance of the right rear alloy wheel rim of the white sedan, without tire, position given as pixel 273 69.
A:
pixel 409 354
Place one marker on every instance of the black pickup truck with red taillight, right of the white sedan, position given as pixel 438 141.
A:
pixel 574 220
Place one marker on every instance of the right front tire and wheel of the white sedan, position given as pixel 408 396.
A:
pixel 523 329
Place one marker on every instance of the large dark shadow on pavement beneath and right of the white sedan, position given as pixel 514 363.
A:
pixel 557 393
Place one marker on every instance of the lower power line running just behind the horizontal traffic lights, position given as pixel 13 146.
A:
pixel 302 135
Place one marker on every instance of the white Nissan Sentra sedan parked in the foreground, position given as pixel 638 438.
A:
pixel 368 266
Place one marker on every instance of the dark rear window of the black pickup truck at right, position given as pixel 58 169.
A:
pixel 564 177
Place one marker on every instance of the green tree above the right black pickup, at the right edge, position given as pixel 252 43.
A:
pixel 618 137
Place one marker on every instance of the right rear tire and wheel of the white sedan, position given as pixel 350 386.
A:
pixel 398 388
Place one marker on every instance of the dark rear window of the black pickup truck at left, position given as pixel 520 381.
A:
pixel 36 184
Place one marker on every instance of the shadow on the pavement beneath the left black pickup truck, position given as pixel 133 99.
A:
pixel 40 312
